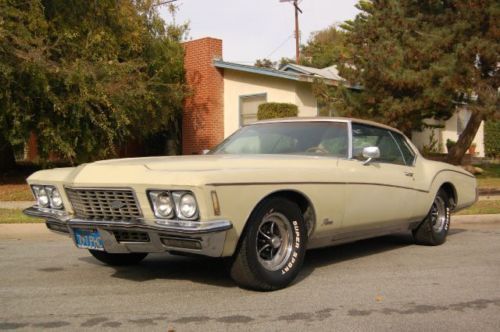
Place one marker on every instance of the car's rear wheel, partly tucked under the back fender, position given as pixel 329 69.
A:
pixel 434 228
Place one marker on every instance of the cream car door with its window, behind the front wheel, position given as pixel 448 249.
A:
pixel 379 192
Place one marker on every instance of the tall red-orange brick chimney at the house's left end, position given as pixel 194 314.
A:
pixel 203 116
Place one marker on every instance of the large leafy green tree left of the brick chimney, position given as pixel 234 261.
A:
pixel 86 76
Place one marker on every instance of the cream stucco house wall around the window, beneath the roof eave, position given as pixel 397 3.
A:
pixel 280 90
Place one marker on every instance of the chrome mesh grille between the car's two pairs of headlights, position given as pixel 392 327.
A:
pixel 104 204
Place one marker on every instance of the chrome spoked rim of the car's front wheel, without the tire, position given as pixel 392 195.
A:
pixel 274 241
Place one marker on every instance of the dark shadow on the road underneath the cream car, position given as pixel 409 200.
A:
pixel 214 271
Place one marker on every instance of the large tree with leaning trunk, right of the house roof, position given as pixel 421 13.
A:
pixel 420 59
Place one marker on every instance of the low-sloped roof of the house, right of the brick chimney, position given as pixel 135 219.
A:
pixel 295 72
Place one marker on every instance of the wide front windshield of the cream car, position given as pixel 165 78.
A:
pixel 323 138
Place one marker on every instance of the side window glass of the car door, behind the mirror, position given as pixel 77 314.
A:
pixel 364 136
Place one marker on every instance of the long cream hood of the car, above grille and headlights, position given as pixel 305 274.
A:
pixel 190 170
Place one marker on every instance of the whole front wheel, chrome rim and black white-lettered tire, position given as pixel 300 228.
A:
pixel 273 246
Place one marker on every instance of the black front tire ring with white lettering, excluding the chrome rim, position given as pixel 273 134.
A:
pixel 291 268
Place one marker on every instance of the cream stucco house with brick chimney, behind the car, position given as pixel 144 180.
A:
pixel 227 95
